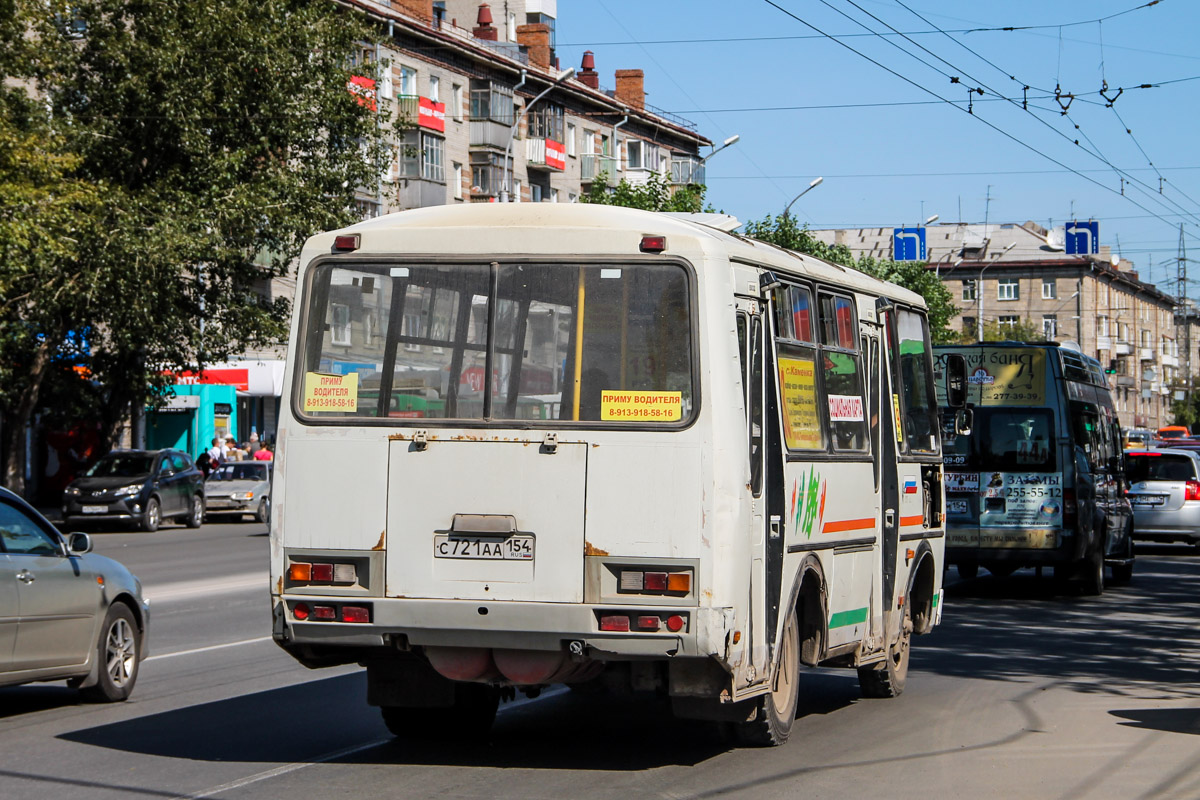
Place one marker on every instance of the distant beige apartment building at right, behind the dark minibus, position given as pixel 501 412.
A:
pixel 1010 274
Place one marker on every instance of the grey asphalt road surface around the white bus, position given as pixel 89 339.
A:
pixel 1021 694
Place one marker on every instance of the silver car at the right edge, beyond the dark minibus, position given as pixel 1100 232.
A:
pixel 1165 491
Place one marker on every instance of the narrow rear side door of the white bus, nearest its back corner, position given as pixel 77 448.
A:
pixel 752 352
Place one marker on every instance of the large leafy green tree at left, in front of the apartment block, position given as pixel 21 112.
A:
pixel 191 148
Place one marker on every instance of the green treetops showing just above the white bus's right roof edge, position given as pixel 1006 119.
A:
pixel 915 276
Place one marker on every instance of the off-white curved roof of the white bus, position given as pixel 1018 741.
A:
pixel 521 228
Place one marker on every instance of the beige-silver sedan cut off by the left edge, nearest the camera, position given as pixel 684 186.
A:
pixel 67 612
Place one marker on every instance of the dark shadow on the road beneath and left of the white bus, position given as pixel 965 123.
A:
pixel 309 721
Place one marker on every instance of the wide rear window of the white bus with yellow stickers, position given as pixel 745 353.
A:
pixel 532 342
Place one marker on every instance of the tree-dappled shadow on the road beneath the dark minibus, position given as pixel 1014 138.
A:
pixel 1138 640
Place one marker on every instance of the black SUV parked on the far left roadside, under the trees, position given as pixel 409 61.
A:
pixel 139 486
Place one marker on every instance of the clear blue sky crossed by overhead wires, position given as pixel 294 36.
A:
pixel 892 153
